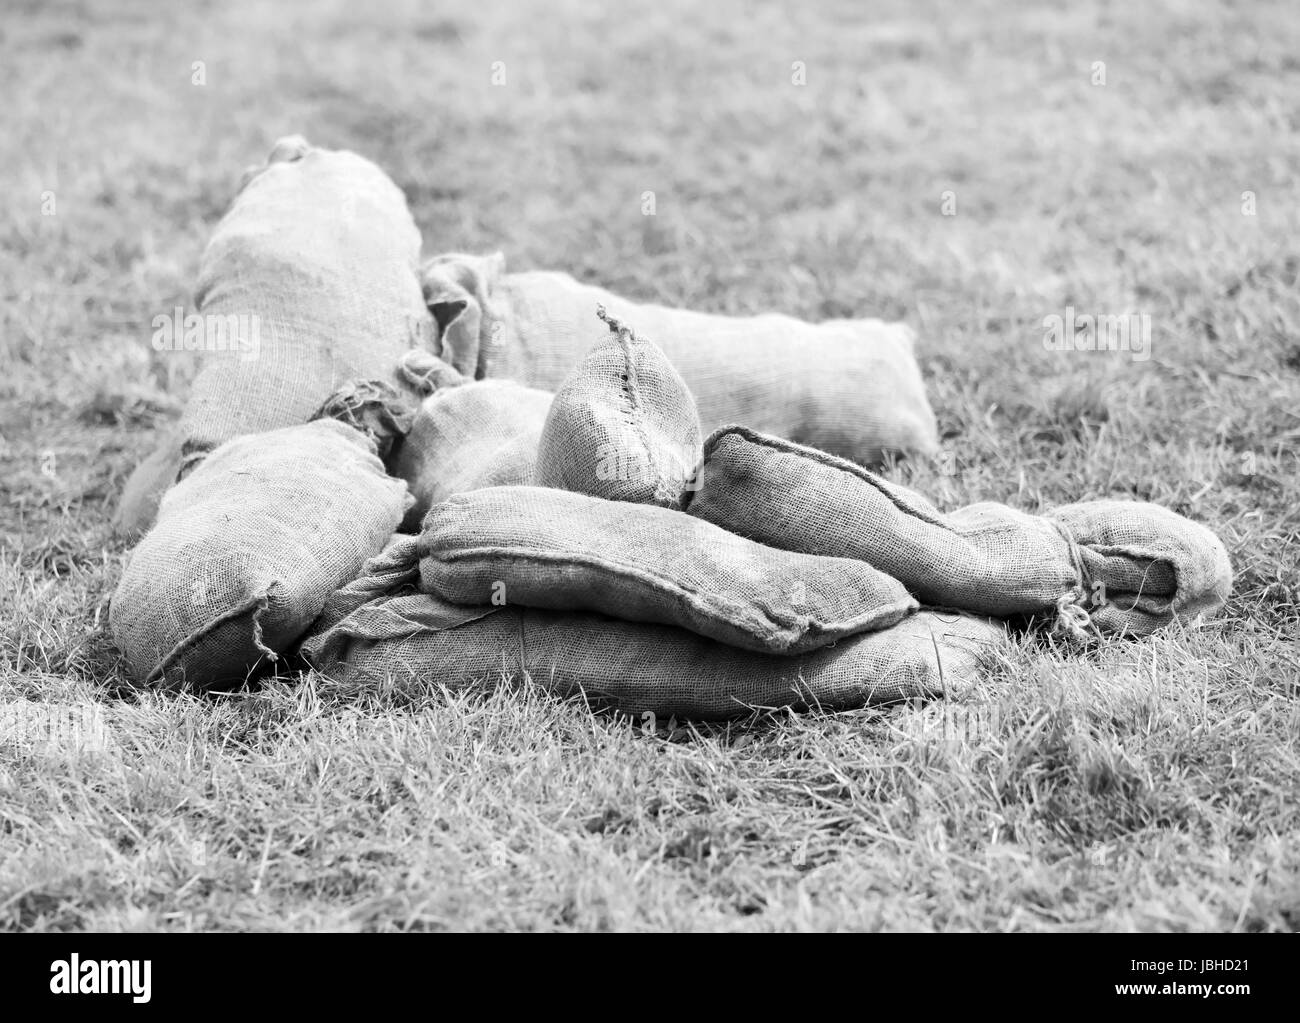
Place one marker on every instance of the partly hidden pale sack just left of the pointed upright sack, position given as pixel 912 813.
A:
pixel 484 434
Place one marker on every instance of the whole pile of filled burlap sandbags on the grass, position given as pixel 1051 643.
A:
pixel 571 522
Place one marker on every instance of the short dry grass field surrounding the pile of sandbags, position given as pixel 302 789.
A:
pixel 959 166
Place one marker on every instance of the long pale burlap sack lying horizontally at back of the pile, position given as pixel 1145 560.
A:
pixel 848 387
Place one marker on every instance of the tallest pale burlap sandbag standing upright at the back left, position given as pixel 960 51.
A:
pixel 309 281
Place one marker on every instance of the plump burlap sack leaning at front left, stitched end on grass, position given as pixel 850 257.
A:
pixel 246 552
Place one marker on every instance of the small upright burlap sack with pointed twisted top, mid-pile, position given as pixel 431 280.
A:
pixel 623 427
